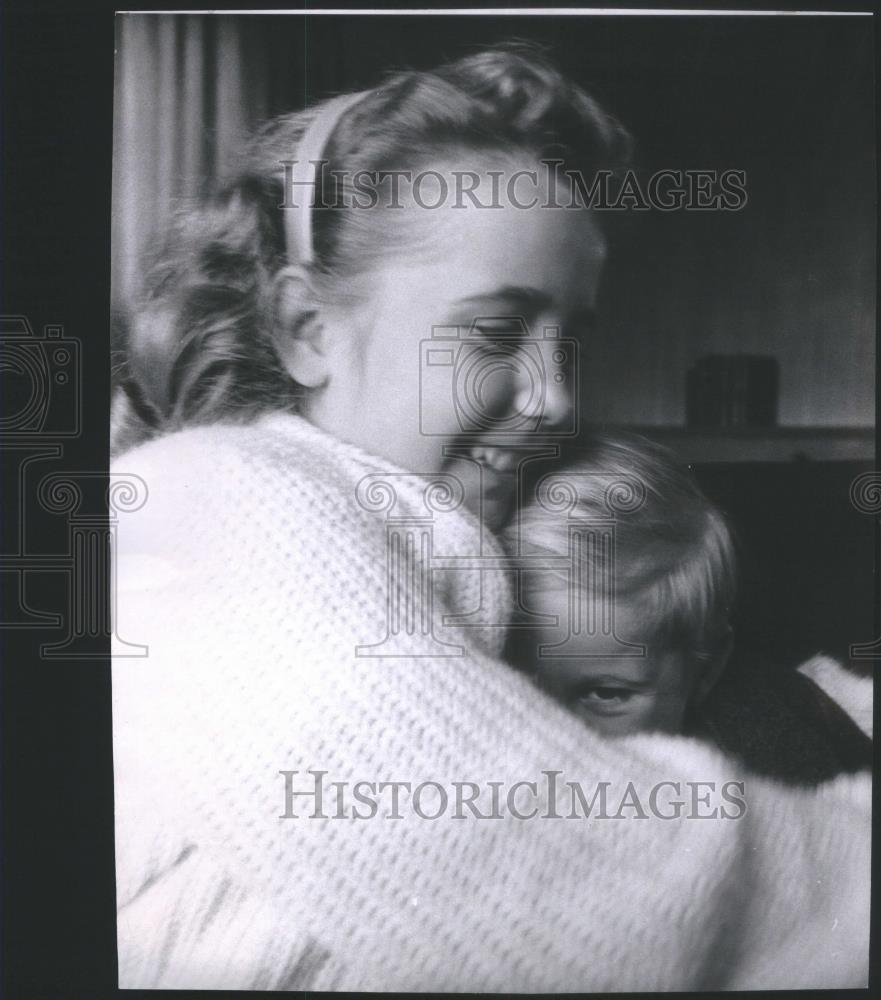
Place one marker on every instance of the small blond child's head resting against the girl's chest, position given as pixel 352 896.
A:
pixel 665 583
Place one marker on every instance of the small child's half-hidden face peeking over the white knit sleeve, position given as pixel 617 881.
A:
pixel 613 694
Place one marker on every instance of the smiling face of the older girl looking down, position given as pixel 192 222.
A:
pixel 448 347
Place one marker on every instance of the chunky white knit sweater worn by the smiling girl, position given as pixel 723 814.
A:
pixel 252 573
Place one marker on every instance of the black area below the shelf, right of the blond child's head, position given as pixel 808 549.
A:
pixel 806 557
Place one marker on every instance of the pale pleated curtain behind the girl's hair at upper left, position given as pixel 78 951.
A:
pixel 186 93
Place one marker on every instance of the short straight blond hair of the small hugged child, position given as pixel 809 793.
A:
pixel 673 550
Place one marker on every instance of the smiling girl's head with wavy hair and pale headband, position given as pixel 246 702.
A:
pixel 236 323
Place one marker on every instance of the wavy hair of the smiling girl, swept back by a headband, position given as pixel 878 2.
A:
pixel 199 345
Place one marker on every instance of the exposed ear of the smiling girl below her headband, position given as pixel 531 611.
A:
pixel 297 330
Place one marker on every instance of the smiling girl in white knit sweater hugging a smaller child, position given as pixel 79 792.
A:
pixel 326 777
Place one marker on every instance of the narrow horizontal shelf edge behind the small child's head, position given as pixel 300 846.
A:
pixel 765 444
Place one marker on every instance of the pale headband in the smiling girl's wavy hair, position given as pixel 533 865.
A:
pixel 304 175
